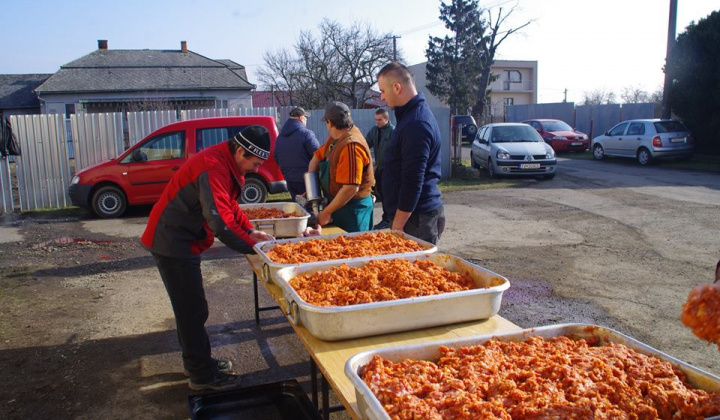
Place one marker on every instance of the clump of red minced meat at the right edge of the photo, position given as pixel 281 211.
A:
pixel 701 312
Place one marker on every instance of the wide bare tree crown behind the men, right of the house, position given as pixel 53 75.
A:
pixel 339 64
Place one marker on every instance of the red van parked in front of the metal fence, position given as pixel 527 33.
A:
pixel 139 175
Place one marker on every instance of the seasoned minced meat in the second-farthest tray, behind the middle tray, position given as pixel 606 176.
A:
pixel 342 247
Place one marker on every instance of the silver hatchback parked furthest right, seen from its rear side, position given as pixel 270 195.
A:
pixel 644 140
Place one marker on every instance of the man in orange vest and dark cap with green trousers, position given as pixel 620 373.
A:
pixel 346 172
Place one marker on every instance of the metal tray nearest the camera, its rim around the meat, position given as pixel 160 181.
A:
pixel 370 408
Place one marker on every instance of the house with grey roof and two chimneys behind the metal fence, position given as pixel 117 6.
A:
pixel 109 80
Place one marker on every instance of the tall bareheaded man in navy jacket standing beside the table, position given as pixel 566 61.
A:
pixel 412 166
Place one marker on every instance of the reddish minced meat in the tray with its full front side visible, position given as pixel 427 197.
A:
pixel 378 281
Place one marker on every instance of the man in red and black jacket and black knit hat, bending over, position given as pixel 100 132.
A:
pixel 200 202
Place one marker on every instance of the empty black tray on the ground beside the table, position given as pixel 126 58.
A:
pixel 284 400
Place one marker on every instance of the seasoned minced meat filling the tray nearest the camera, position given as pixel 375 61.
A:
pixel 556 378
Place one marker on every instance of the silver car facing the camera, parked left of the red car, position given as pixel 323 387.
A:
pixel 512 149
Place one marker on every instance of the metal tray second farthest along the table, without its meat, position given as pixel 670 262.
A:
pixel 270 267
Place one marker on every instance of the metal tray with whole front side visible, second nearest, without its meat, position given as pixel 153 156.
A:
pixel 343 322
